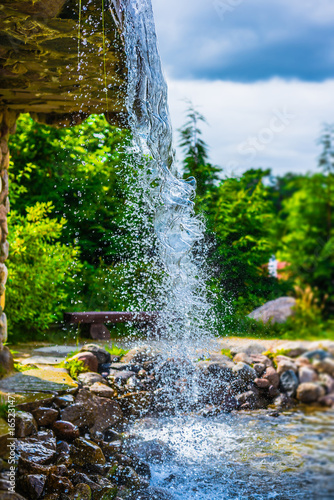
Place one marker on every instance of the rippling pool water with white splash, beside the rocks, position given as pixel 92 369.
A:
pixel 245 456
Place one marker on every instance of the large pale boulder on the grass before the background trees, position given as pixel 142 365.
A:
pixel 275 311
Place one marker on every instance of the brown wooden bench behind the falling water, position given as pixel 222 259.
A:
pixel 96 320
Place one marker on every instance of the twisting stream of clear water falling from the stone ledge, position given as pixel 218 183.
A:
pixel 185 313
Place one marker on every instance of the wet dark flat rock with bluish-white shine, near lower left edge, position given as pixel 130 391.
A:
pixel 37 450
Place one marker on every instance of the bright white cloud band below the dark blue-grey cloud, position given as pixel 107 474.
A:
pixel 240 113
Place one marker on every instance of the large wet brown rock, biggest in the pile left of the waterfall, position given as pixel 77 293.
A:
pixel 92 411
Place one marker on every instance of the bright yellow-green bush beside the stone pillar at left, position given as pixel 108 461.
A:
pixel 41 270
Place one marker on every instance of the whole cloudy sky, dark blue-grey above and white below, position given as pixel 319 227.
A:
pixel 262 73
